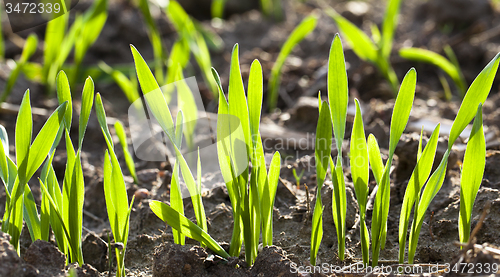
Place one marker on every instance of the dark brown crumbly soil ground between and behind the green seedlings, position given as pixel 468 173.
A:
pixel 470 27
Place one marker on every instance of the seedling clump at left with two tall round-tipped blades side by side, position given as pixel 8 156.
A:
pixel 63 210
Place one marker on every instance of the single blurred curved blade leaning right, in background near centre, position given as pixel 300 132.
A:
pixel 299 33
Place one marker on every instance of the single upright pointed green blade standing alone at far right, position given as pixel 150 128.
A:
pixel 472 175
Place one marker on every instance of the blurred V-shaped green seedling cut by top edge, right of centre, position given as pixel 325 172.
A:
pixel 378 50
